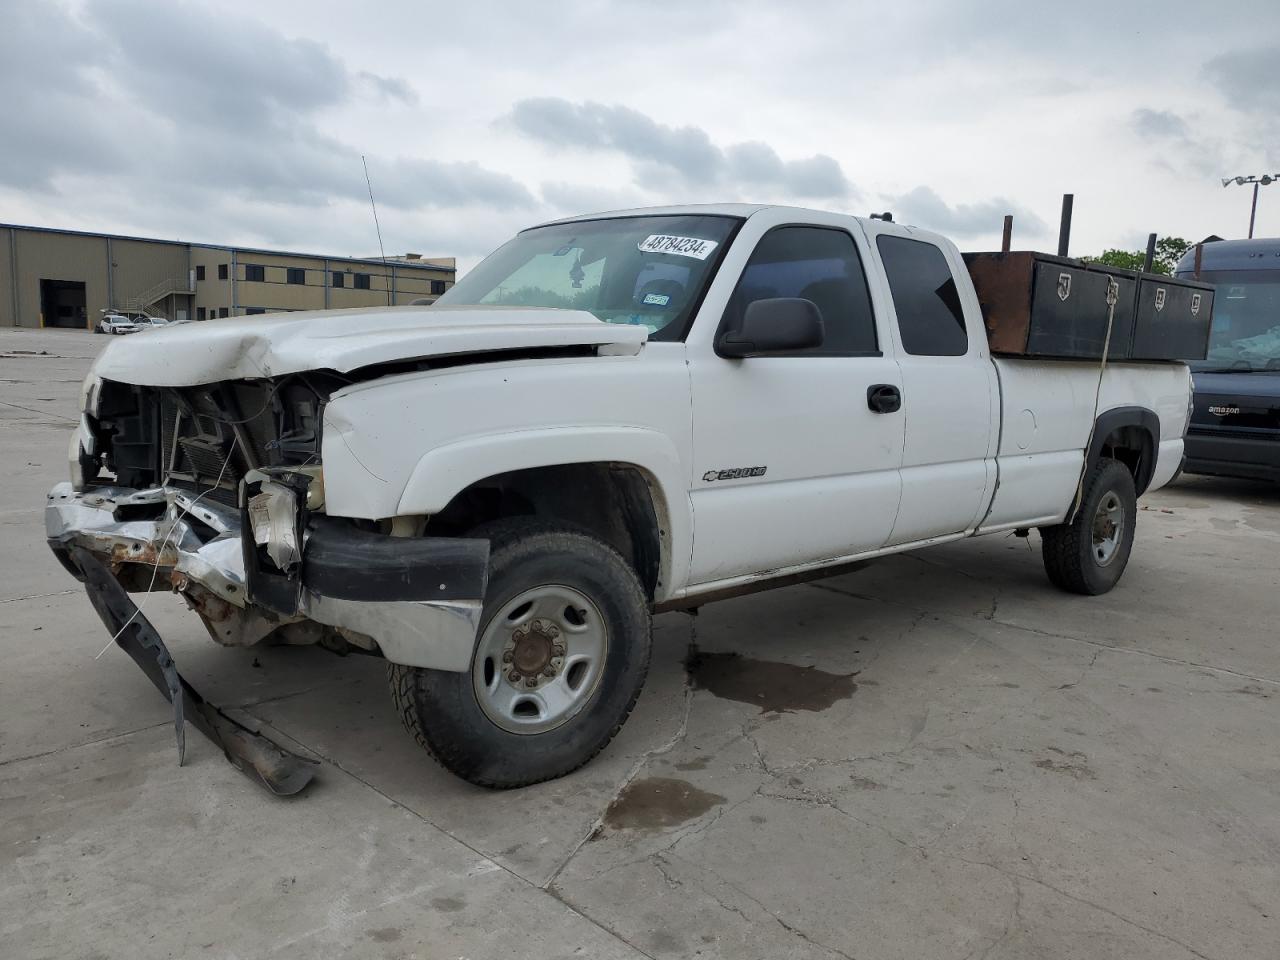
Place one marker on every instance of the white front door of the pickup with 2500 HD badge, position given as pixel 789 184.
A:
pixel 792 464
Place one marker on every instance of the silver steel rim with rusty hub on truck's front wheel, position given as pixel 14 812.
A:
pixel 540 660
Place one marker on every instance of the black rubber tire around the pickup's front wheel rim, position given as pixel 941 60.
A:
pixel 441 710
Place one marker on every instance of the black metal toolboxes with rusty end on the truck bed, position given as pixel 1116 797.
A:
pixel 1048 307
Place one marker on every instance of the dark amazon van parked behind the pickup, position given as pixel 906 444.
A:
pixel 1236 424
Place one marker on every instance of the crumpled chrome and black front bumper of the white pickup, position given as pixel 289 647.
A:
pixel 419 600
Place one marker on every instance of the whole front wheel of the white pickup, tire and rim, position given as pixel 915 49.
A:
pixel 563 653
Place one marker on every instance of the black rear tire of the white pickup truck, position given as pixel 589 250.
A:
pixel 1073 559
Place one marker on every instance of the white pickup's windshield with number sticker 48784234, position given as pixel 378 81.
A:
pixel 644 271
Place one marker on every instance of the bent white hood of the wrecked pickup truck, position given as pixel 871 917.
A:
pixel 254 348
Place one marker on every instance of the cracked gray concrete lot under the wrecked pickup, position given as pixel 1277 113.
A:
pixel 936 757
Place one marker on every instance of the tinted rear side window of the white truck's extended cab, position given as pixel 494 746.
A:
pixel 925 295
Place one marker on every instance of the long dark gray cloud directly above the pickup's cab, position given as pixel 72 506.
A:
pixel 689 152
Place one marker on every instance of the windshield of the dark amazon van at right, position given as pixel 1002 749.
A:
pixel 1246 333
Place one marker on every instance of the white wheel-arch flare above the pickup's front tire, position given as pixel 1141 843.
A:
pixel 447 470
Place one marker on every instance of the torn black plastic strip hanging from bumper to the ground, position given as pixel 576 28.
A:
pixel 281 771
